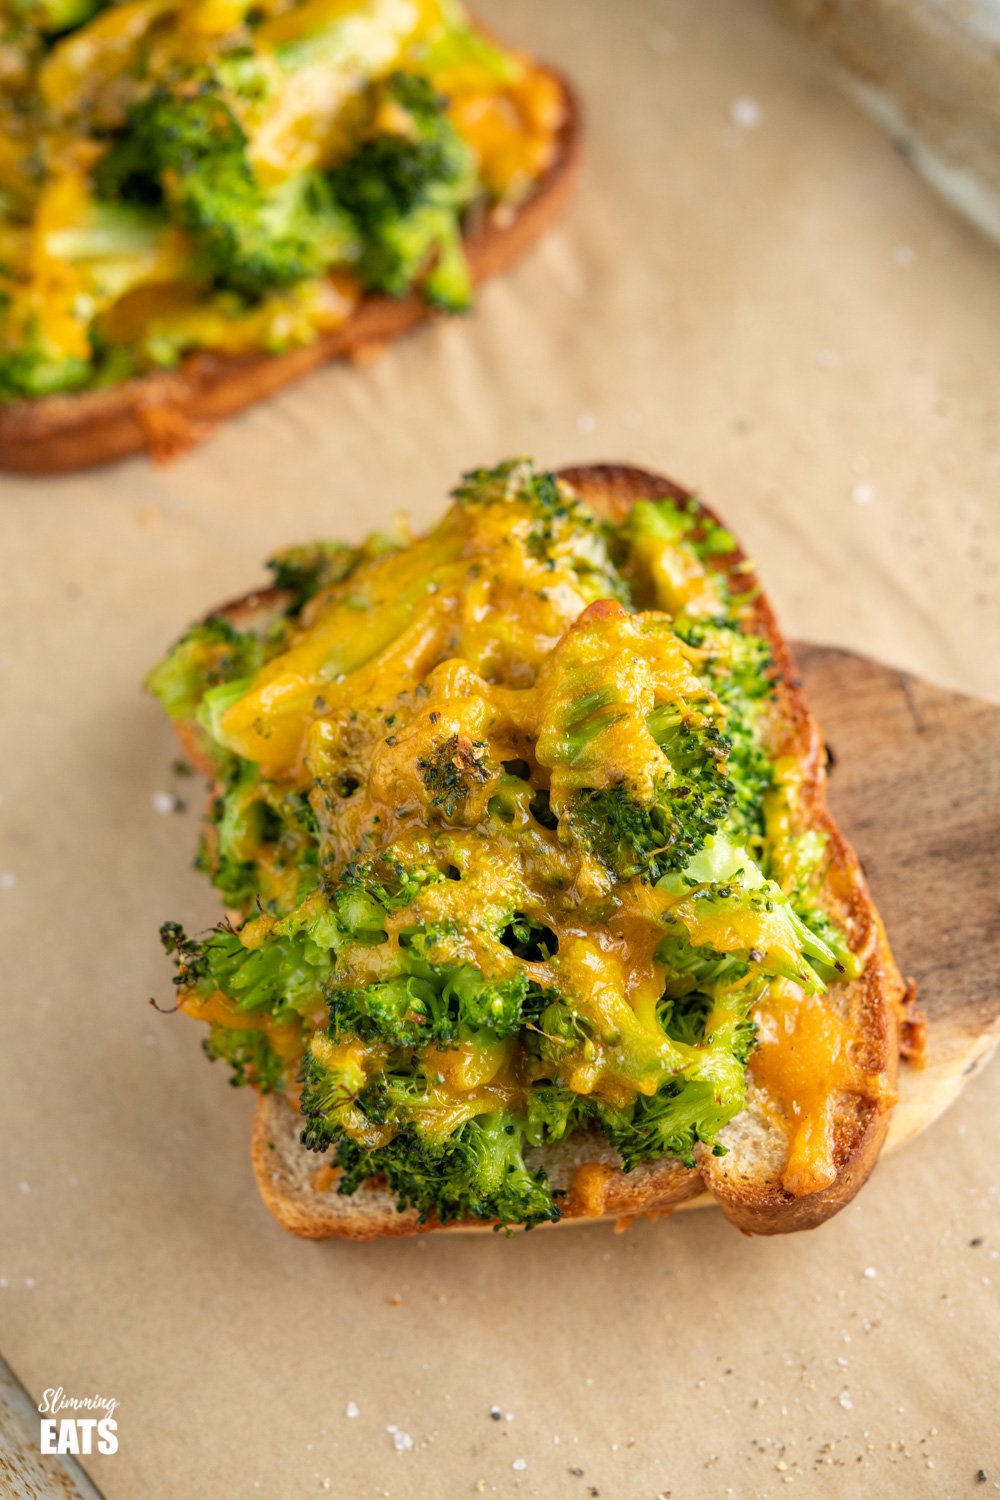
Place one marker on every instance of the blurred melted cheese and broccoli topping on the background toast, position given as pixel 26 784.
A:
pixel 232 178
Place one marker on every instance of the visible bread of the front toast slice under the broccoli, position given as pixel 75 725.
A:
pixel 752 1181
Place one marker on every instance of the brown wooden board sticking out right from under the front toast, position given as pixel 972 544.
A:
pixel 915 784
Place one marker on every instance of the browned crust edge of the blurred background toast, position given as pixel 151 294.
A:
pixel 167 413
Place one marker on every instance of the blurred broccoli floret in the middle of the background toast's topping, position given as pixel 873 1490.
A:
pixel 193 151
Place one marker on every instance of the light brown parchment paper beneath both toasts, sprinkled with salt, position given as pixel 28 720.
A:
pixel 777 313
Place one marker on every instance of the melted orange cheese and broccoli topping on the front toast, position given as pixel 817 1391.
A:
pixel 509 826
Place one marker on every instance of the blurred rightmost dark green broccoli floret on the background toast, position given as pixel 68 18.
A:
pixel 406 190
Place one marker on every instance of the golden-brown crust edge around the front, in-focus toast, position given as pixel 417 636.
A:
pixel 752 1199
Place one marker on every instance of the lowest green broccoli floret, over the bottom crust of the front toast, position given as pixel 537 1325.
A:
pixel 479 1172
